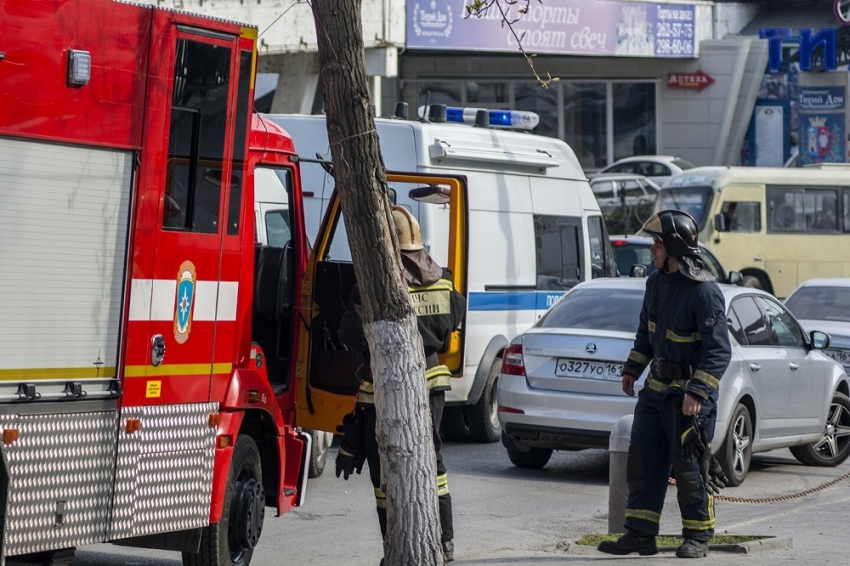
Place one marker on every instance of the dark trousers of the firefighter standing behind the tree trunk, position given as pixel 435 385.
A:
pixel 437 401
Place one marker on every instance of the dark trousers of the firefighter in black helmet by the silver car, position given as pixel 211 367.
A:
pixel 654 448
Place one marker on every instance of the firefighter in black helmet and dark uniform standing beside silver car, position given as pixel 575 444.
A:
pixel 682 336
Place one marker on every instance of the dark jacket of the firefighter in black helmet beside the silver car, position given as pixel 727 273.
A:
pixel 683 335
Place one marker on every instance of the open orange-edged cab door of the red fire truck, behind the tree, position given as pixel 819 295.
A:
pixel 327 384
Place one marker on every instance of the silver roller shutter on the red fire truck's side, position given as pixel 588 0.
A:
pixel 64 213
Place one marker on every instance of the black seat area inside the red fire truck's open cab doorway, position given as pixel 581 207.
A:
pixel 271 324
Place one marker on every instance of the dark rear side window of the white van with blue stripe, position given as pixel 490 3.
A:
pixel 559 244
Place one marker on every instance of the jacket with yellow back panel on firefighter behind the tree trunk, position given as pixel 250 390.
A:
pixel 439 310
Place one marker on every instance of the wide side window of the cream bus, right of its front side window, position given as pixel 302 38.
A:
pixel 797 209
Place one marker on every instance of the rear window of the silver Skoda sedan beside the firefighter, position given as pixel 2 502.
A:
pixel 598 309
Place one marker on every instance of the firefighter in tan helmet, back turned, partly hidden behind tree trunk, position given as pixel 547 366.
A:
pixel 439 310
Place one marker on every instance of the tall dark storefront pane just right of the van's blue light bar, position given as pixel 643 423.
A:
pixel 585 123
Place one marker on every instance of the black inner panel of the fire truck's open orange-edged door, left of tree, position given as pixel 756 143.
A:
pixel 332 366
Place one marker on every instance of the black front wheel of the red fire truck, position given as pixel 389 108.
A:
pixel 232 540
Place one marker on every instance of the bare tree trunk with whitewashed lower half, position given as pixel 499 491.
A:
pixel 408 463
